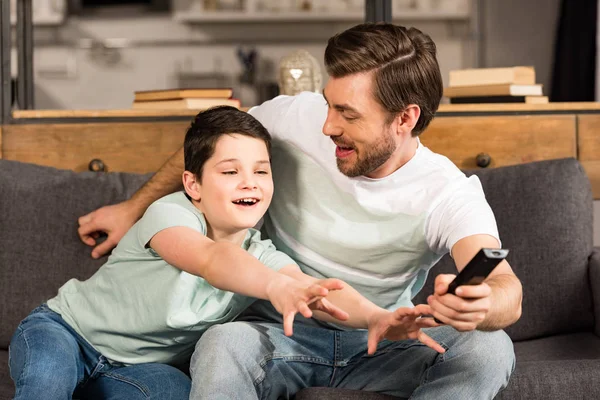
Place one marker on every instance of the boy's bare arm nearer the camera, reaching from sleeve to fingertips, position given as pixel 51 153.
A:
pixel 227 266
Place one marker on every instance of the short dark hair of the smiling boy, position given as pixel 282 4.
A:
pixel 208 126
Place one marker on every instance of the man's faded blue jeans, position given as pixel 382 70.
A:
pixel 250 360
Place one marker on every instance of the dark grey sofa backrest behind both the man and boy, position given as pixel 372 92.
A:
pixel 544 214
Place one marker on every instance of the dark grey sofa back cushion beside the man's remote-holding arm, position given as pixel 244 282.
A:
pixel 544 212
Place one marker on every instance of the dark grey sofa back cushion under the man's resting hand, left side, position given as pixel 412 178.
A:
pixel 38 255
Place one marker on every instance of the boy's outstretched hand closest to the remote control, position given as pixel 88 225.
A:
pixel 401 324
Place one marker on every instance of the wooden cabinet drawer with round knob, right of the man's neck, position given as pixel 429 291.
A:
pixel 508 140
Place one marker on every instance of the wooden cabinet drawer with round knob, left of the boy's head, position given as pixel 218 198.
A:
pixel 129 147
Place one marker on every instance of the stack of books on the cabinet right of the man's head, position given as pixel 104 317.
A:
pixel 494 85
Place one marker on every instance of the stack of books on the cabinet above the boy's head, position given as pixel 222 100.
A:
pixel 193 99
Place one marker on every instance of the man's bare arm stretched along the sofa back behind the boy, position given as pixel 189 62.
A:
pixel 115 220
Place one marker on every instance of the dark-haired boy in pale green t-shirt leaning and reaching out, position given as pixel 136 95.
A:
pixel 171 277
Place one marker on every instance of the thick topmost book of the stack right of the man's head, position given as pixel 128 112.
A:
pixel 492 76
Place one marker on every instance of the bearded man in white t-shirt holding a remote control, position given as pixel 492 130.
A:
pixel 367 203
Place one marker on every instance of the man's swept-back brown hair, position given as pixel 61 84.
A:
pixel 404 61
